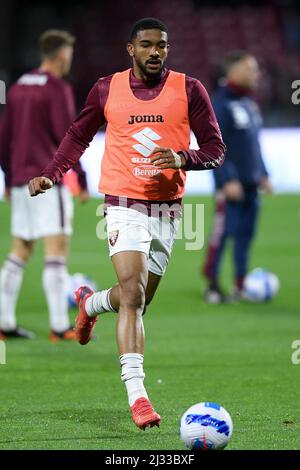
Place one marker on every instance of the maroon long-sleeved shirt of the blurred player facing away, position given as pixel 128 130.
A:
pixel 39 110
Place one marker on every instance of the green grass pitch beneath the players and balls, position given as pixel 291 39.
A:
pixel 65 396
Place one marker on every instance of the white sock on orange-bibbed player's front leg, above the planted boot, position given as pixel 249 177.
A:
pixel 133 375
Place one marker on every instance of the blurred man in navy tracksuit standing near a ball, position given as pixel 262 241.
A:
pixel 242 175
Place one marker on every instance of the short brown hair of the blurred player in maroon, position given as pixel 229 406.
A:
pixel 52 40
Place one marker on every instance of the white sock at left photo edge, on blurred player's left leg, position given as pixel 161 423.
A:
pixel 11 277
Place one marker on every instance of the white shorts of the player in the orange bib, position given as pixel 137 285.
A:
pixel 131 230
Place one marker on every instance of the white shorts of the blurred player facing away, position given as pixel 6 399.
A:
pixel 44 215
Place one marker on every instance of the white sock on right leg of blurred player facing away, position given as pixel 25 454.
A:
pixel 55 282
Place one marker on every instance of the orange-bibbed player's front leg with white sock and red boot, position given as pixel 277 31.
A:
pixel 132 271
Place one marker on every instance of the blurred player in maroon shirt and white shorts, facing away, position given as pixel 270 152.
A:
pixel 39 110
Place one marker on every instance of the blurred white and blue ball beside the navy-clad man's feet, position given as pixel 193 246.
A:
pixel 260 285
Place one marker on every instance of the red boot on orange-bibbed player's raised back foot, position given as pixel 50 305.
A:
pixel 84 324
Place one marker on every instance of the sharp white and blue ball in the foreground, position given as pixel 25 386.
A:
pixel 206 426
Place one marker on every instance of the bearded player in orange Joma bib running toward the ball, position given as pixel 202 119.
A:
pixel 144 107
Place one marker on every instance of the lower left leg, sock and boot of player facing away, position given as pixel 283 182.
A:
pixel 11 277
